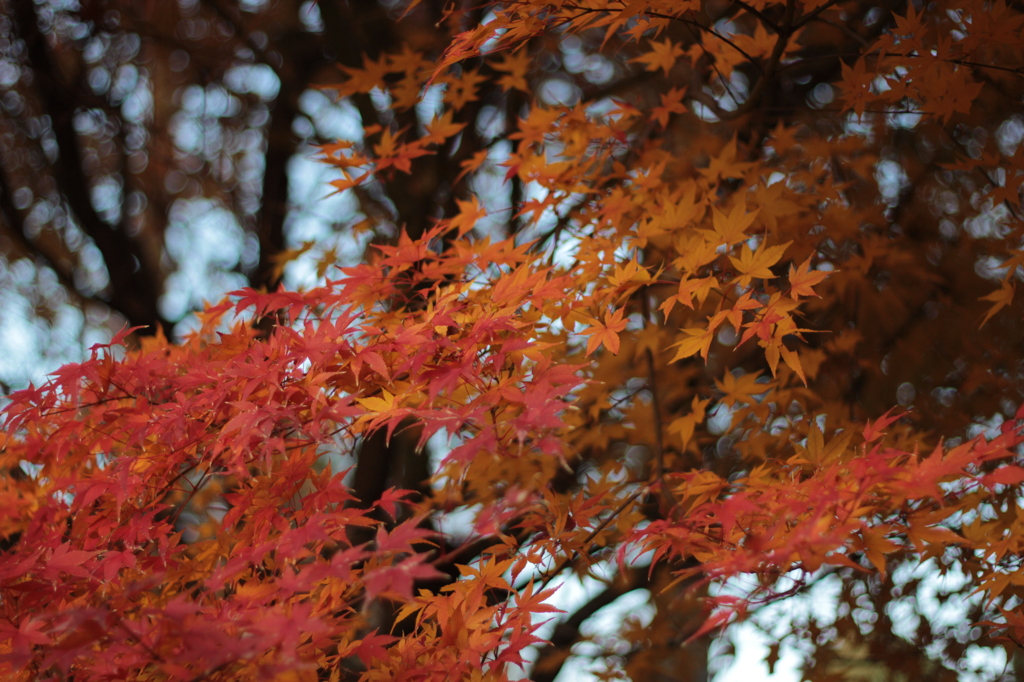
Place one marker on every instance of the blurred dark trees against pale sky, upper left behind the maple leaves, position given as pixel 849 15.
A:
pixel 157 154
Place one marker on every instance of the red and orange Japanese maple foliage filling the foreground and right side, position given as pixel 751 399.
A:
pixel 748 315
